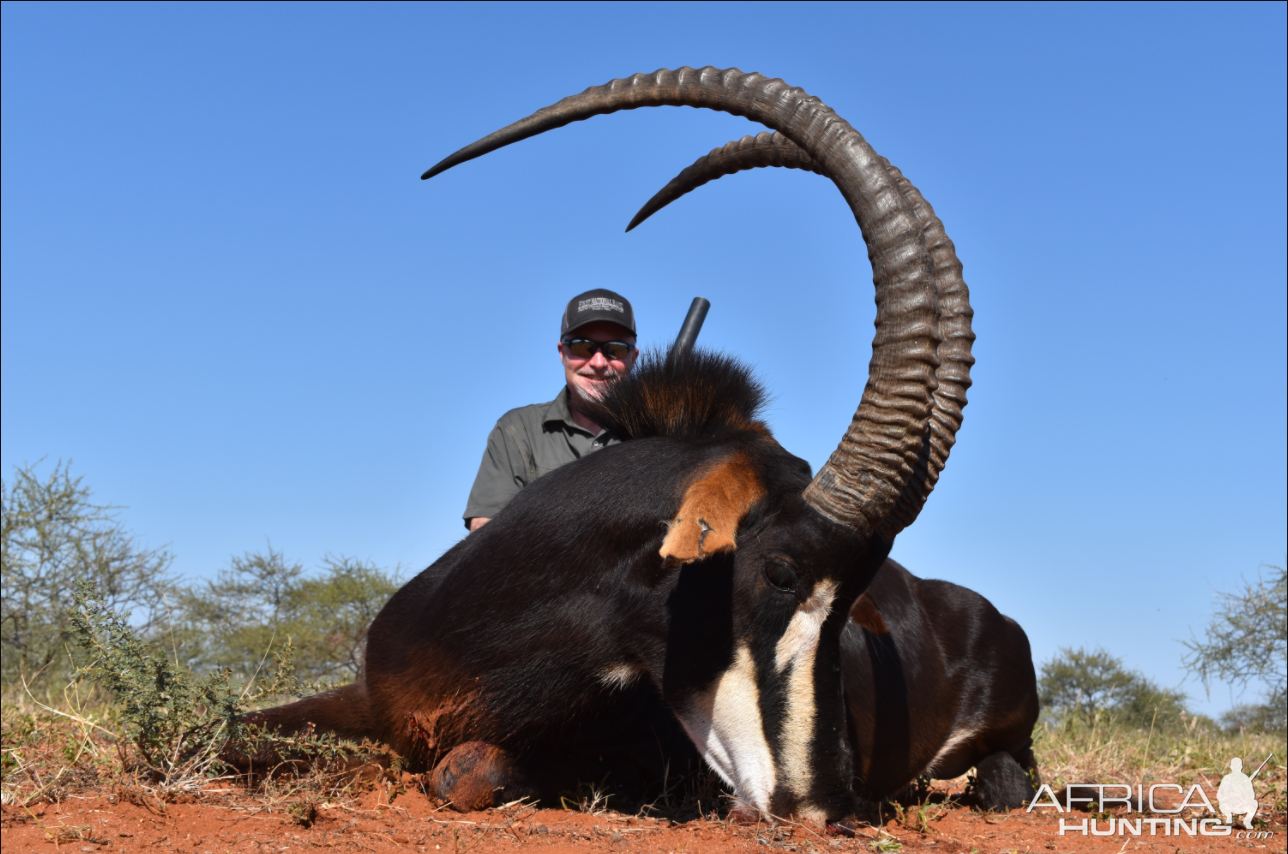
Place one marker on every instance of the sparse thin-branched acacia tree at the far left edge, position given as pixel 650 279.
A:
pixel 53 538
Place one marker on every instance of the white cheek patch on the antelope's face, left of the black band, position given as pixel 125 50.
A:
pixel 724 725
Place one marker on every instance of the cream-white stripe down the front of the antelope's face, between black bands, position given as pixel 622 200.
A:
pixel 797 650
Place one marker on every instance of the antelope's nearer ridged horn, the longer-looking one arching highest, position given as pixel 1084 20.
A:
pixel 862 481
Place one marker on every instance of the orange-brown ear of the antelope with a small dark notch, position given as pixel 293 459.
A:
pixel 713 507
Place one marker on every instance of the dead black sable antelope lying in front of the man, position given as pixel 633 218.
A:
pixel 700 565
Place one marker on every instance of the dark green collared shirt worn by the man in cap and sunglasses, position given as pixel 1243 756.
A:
pixel 526 444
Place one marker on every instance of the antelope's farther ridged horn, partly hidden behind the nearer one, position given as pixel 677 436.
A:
pixel 955 357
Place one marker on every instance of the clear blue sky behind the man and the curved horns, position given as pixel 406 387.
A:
pixel 230 301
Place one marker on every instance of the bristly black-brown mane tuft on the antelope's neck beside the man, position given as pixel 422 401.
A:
pixel 704 397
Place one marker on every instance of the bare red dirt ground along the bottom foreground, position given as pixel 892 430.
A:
pixel 217 824
